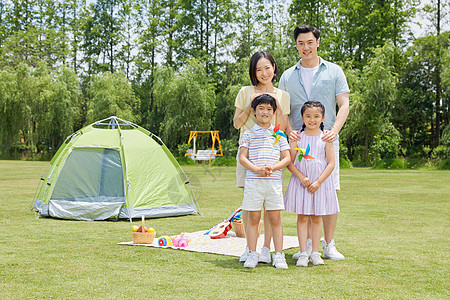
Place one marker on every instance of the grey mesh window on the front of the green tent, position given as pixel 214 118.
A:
pixel 91 175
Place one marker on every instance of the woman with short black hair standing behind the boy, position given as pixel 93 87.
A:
pixel 263 71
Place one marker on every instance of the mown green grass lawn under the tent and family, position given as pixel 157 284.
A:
pixel 393 230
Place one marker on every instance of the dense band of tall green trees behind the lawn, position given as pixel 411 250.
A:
pixel 152 42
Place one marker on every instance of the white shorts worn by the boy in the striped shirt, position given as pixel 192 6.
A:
pixel 261 191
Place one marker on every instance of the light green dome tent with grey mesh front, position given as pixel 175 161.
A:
pixel 113 169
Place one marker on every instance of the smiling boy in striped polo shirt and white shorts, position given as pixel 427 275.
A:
pixel 261 157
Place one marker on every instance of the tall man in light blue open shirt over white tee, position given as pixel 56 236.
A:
pixel 313 78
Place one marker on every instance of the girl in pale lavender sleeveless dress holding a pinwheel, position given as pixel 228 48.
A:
pixel 311 192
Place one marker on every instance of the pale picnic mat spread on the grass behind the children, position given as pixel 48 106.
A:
pixel 229 245
